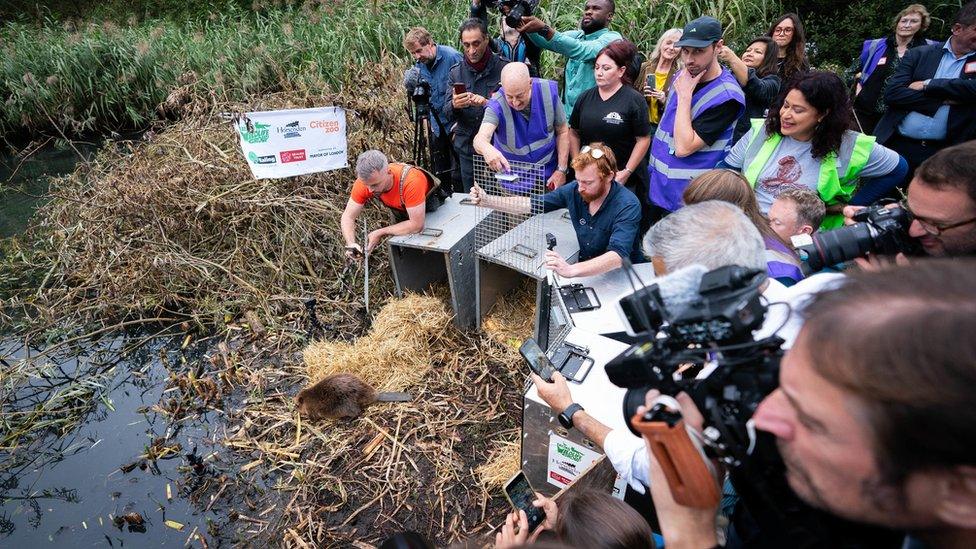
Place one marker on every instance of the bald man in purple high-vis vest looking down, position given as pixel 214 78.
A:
pixel 525 122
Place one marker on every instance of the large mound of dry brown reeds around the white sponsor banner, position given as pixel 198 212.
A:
pixel 175 226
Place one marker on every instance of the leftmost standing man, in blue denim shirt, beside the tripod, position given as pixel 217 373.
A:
pixel 434 62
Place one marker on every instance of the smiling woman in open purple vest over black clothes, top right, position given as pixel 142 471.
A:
pixel 878 60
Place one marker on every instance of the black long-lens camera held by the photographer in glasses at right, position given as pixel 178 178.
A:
pixel 880 229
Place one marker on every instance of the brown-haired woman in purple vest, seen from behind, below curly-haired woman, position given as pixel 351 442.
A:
pixel 782 263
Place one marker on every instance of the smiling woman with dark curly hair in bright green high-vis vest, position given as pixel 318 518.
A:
pixel 805 143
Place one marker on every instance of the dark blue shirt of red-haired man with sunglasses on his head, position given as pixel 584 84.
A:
pixel 612 229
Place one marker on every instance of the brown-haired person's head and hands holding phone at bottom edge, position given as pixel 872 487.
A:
pixel 590 519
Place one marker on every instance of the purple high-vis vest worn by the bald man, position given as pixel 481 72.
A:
pixel 531 140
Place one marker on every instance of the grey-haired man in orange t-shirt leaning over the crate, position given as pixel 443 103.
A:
pixel 377 178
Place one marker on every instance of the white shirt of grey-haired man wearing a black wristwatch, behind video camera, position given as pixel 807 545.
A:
pixel 627 453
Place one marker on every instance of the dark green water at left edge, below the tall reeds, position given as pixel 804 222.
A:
pixel 23 182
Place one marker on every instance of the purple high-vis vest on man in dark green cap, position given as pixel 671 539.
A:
pixel 670 174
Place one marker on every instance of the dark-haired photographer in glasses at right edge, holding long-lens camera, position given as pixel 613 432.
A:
pixel 942 202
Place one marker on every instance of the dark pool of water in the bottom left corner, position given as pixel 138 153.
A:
pixel 71 487
